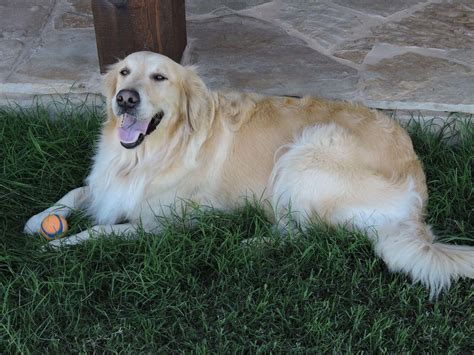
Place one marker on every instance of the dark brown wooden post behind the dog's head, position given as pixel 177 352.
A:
pixel 126 26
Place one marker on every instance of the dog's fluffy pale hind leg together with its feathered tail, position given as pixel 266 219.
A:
pixel 321 175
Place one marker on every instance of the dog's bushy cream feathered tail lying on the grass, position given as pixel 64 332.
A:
pixel 410 247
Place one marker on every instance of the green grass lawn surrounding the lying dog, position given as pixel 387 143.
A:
pixel 201 290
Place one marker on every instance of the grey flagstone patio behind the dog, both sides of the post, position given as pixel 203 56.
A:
pixel 401 54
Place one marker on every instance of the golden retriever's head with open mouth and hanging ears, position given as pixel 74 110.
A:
pixel 147 91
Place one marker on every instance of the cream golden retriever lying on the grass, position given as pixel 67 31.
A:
pixel 167 138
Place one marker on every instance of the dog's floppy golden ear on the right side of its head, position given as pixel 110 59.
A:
pixel 198 110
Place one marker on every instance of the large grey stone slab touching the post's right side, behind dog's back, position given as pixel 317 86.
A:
pixel 241 53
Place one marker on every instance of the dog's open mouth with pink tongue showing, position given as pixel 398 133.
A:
pixel 132 131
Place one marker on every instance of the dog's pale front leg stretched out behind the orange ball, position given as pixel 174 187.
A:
pixel 73 200
